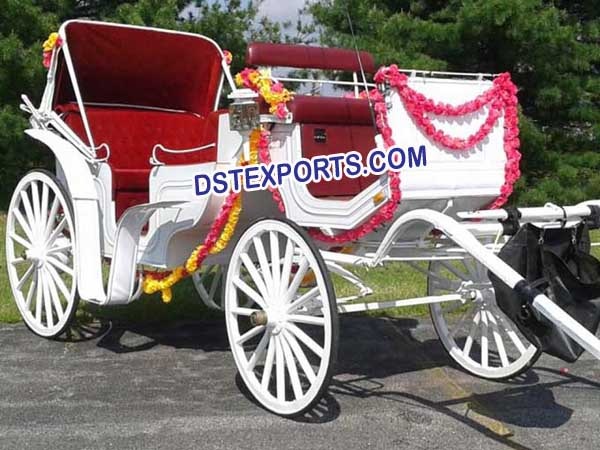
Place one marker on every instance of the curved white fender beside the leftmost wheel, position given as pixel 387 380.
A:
pixel 84 198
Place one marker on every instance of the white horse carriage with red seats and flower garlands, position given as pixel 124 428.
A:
pixel 132 116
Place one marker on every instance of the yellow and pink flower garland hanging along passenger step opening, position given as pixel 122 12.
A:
pixel 216 240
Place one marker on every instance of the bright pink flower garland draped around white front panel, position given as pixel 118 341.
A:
pixel 502 100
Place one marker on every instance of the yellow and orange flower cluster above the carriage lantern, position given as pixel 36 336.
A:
pixel 271 91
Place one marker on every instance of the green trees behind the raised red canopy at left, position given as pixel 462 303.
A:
pixel 25 24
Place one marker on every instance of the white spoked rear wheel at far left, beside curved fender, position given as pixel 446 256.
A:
pixel 40 249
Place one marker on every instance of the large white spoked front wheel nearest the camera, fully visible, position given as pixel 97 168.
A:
pixel 285 343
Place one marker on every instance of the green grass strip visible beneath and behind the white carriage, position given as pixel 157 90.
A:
pixel 390 282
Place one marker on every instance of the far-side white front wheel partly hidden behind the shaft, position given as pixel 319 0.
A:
pixel 476 334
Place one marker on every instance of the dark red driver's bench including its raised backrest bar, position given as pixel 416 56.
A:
pixel 328 124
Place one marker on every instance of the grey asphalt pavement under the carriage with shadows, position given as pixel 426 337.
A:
pixel 175 387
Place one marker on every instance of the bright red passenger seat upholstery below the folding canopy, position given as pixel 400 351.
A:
pixel 131 135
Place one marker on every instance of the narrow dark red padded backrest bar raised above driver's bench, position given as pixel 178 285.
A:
pixel 307 57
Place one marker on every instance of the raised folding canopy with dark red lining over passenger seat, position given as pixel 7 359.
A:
pixel 128 65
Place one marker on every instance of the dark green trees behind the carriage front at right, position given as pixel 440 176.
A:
pixel 551 48
